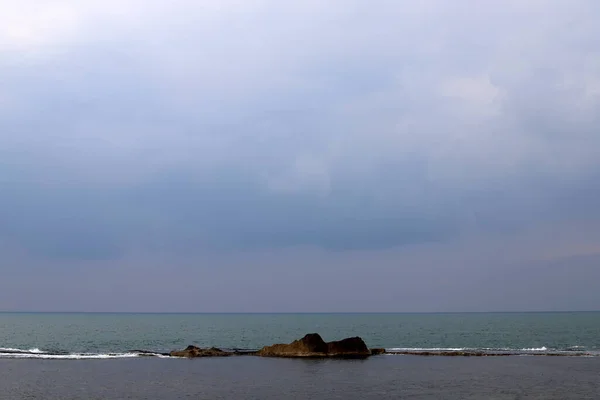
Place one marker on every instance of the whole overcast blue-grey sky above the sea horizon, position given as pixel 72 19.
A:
pixel 279 156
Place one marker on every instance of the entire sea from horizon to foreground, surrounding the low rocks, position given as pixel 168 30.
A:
pixel 122 356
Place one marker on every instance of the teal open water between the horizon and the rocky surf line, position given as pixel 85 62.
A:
pixel 98 333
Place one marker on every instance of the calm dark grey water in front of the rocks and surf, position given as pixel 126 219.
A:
pixel 380 377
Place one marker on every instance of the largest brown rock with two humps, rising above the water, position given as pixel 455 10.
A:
pixel 312 345
